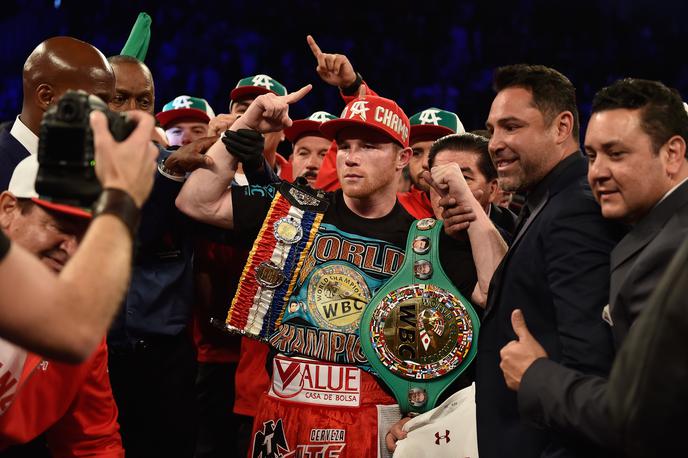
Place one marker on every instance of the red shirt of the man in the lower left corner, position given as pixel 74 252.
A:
pixel 71 403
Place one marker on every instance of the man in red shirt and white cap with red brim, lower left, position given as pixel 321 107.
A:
pixel 71 404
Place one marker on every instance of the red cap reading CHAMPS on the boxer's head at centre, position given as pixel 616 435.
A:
pixel 378 113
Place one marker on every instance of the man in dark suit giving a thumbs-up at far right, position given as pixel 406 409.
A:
pixel 636 146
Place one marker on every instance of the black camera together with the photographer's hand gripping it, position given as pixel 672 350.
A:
pixel 83 144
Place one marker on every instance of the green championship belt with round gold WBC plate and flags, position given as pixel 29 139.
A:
pixel 418 332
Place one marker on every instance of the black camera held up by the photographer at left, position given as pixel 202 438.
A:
pixel 66 156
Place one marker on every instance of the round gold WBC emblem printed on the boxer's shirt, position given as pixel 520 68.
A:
pixel 337 296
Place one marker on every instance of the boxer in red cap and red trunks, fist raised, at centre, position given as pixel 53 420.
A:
pixel 364 213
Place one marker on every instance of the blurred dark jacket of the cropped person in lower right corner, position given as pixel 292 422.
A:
pixel 647 387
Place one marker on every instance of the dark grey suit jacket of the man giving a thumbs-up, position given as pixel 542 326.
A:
pixel 554 396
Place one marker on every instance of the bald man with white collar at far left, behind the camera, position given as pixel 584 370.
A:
pixel 56 65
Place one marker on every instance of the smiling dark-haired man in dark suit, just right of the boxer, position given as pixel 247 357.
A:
pixel 556 270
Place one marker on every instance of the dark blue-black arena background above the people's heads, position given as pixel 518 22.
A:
pixel 419 53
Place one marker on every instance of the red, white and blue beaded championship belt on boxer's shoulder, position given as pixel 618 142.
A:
pixel 275 260
